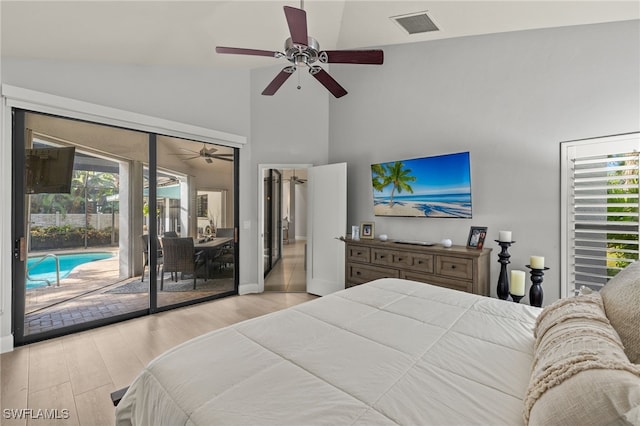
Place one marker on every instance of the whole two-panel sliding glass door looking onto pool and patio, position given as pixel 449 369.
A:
pixel 94 205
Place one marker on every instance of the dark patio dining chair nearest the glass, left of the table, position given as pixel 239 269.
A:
pixel 180 257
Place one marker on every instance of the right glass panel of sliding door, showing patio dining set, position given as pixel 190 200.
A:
pixel 195 221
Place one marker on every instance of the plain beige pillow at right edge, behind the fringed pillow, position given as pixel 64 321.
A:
pixel 621 297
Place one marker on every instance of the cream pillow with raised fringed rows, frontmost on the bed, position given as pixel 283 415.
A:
pixel 580 374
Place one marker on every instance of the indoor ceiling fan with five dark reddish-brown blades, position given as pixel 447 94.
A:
pixel 302 50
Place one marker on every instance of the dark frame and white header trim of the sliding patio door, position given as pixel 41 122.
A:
pixel 17 99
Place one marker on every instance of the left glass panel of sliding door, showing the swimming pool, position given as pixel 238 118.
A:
pixel 77 225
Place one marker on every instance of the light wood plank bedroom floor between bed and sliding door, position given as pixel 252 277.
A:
pixel 78 372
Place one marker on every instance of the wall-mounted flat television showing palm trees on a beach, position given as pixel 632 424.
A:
pixel 436 186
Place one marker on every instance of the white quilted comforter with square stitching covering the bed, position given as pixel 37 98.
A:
pixel 387 352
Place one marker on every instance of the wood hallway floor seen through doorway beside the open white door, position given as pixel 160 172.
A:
pixel 289 274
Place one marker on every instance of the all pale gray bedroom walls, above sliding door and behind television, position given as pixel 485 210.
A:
pixel 507 98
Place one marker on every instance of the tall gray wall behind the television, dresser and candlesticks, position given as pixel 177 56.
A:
pixel 509 99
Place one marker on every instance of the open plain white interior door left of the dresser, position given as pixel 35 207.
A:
pixel 327 213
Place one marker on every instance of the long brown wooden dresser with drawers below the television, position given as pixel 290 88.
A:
pixel 456 267
